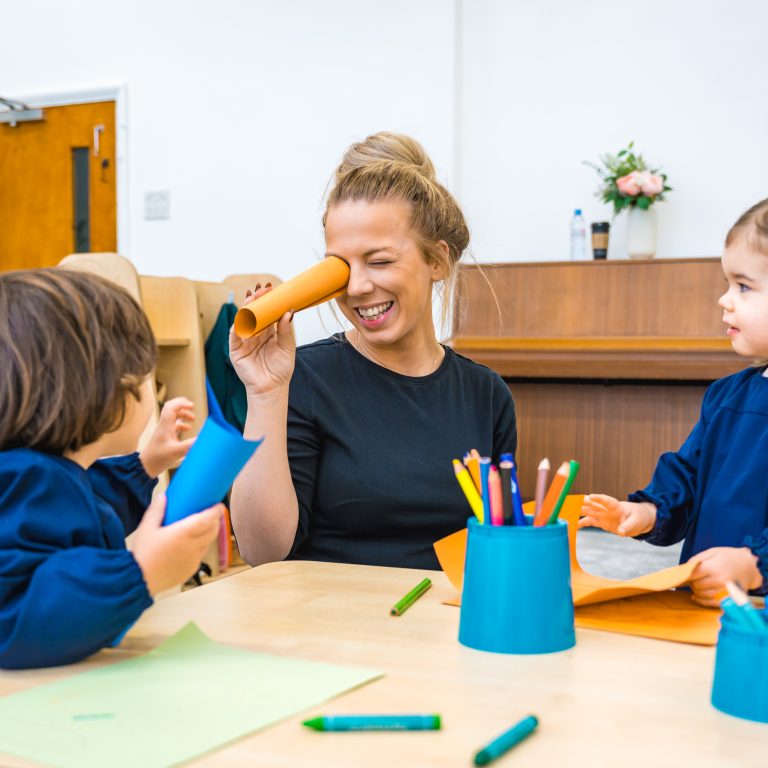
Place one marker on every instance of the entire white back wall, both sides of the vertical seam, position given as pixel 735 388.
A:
pixel 242 108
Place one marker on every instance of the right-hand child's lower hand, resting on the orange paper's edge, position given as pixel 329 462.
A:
pixel 717 565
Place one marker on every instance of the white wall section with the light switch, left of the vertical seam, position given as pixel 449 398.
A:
pixel 241 109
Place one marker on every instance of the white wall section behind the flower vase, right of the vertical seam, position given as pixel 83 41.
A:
pixel 549 83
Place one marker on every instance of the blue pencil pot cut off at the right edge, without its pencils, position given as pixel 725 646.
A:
pixel 740 685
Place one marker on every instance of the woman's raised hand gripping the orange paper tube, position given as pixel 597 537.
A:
pixel 264 362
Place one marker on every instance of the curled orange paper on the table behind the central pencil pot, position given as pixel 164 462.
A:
pixel 643 606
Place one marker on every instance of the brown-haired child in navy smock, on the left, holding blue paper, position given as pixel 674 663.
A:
pixel 76 355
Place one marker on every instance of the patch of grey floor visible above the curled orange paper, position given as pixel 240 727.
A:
pixel 606 554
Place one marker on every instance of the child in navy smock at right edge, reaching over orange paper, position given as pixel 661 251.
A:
pixel 712 493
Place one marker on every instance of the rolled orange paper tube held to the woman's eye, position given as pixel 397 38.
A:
pixel 316 285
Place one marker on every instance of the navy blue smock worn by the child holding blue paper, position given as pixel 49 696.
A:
pixel 68 585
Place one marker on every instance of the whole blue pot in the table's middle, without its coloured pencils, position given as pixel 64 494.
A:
pixel 517 589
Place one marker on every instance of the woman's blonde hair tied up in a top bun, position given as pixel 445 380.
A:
pixel 392 166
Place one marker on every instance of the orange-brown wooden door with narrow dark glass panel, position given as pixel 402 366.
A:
pixel 58 186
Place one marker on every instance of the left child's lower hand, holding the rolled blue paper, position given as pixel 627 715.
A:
pixel 170 555
